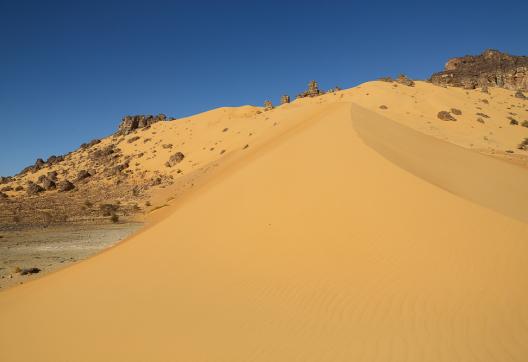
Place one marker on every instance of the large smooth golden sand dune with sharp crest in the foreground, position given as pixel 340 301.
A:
pixel 314 245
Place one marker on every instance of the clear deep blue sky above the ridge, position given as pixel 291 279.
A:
pixel 69 70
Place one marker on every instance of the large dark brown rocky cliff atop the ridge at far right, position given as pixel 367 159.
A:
pixel 491 68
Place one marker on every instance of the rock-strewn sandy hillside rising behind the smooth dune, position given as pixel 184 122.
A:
pixel 151 160
